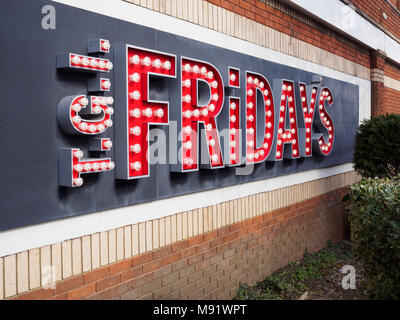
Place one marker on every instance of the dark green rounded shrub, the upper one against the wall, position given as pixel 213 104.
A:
pixel 377 147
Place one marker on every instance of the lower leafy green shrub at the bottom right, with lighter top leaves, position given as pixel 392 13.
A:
pixel 375 225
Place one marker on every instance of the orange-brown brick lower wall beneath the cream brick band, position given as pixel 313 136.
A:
pixel 211 265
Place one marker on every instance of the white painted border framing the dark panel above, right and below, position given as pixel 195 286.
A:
pixel 13 241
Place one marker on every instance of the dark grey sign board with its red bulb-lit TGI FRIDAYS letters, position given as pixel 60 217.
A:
pixel 101 113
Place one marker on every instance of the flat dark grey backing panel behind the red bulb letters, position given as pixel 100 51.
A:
pixel 32 87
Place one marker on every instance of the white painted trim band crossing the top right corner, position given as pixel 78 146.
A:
pixel 333 12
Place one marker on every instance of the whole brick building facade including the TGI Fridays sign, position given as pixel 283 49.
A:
pixel 172 237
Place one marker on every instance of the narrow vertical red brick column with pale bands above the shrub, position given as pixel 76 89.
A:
pixel 377 82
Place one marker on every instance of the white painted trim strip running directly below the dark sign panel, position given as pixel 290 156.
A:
pixel 17 240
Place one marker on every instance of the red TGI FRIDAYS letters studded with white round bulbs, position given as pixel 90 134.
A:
pixel 203 96
